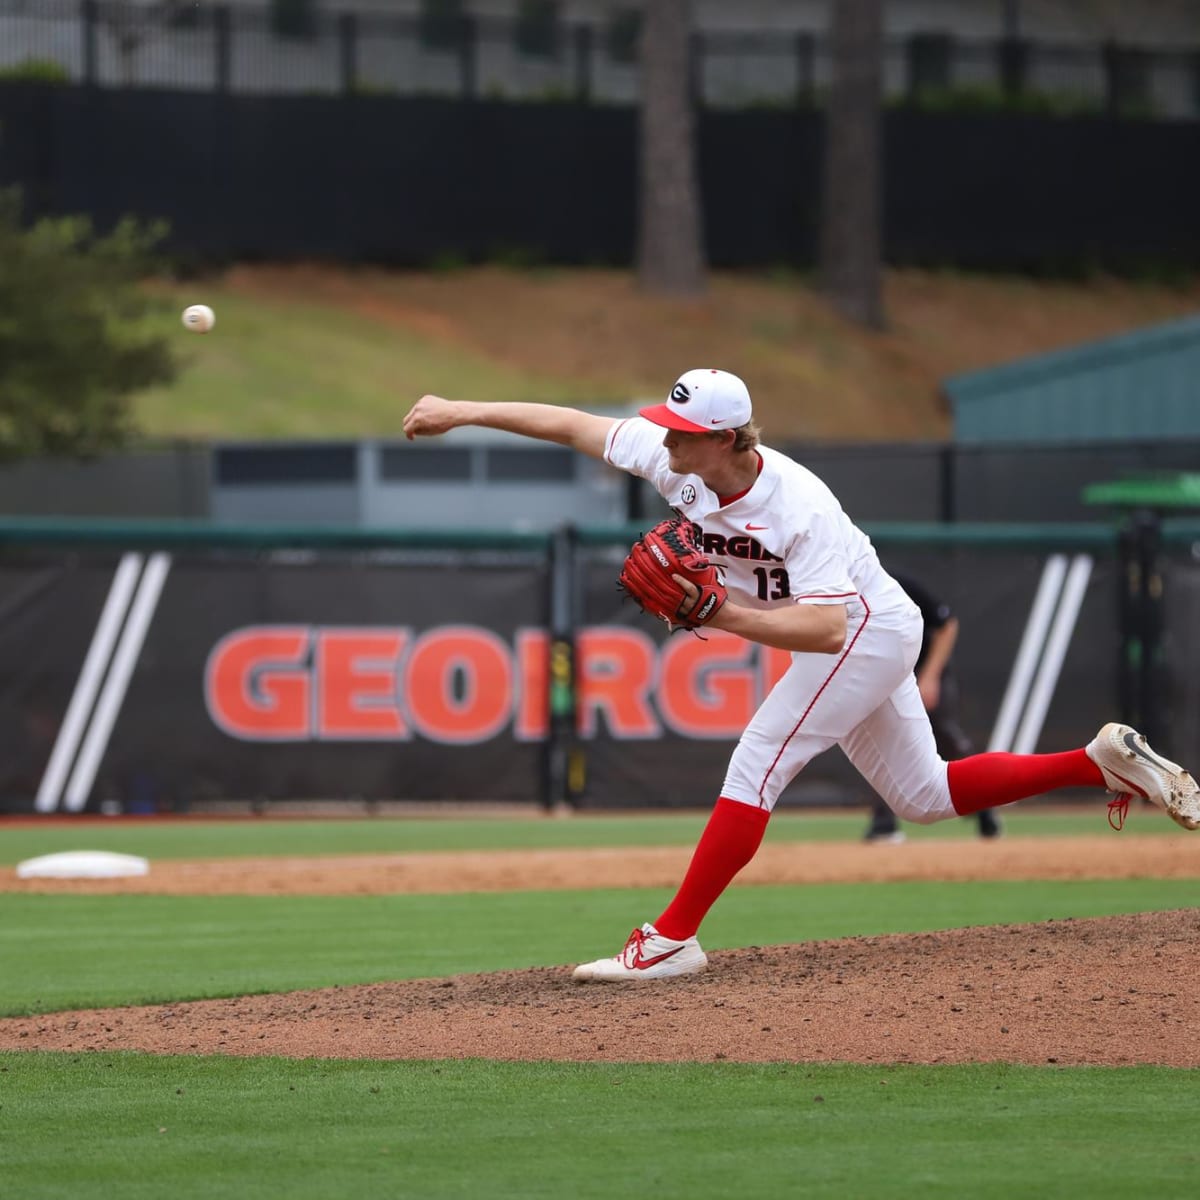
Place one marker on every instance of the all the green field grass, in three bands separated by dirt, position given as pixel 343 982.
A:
pixel 101 1125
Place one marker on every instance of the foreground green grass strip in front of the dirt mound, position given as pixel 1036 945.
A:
pixel 105 1125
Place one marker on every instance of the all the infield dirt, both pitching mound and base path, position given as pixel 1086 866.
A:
pixel 1111 991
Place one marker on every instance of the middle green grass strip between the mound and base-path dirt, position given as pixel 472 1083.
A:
pixel 64 952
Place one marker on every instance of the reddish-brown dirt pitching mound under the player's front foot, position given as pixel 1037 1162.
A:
pixel 1112 991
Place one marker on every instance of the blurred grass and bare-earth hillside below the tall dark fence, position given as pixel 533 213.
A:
pixel 319 352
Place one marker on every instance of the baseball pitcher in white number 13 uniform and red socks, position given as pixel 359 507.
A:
pixel 761 548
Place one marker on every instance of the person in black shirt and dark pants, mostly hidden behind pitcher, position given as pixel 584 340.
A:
pixel 939 692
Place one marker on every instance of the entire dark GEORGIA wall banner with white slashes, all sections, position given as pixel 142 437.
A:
pixel 154 681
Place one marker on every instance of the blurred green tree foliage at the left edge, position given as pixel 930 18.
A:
pixel 74 338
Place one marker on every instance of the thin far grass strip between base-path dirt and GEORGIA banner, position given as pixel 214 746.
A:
pixel 263 838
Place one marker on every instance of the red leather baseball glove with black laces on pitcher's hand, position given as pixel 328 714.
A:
pixel 673 548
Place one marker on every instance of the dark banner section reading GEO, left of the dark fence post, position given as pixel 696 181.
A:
pixel 157 681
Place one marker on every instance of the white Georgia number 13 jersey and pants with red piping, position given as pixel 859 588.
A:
pixel 788 541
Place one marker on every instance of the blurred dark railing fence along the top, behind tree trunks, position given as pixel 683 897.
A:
pixel 541 57
